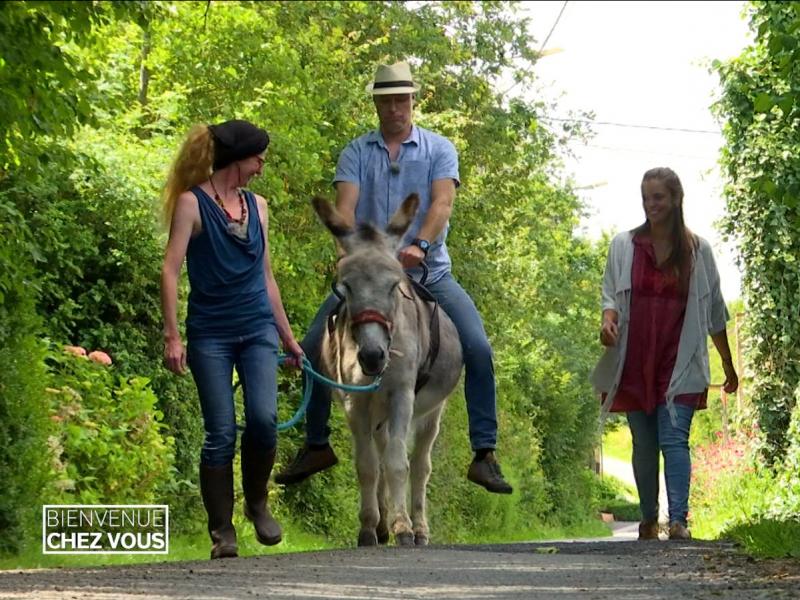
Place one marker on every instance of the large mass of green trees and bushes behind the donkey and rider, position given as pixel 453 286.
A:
pixel 135 76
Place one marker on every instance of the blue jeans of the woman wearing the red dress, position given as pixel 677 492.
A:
pixel 652 433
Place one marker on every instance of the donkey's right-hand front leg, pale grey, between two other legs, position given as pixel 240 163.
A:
pixel 396 465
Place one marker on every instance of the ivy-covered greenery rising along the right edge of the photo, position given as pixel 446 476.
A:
pixel 760 108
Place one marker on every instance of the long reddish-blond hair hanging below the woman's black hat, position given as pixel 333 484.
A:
pixel 192 166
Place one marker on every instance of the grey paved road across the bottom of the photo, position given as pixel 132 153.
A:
pixel 588 570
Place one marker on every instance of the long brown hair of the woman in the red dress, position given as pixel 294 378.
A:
pixel 682 240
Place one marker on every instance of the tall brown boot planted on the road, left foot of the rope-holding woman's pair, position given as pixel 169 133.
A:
pixel 216 486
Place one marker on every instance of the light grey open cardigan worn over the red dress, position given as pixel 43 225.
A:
pixel 706 313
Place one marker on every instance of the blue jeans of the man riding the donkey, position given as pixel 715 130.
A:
pixel 479 387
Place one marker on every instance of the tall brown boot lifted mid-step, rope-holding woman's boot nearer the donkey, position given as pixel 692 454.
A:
pixel 256 468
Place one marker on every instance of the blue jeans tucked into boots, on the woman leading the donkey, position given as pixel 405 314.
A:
pixel 212 361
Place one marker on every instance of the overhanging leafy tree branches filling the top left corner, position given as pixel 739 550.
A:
pixel 47 87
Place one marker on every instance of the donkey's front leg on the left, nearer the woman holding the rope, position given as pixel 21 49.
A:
pixel 367 470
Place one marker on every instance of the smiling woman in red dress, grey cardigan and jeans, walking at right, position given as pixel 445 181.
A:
pixel 661 298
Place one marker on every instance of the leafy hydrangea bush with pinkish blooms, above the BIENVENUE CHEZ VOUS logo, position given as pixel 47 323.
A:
pixel 110 446
